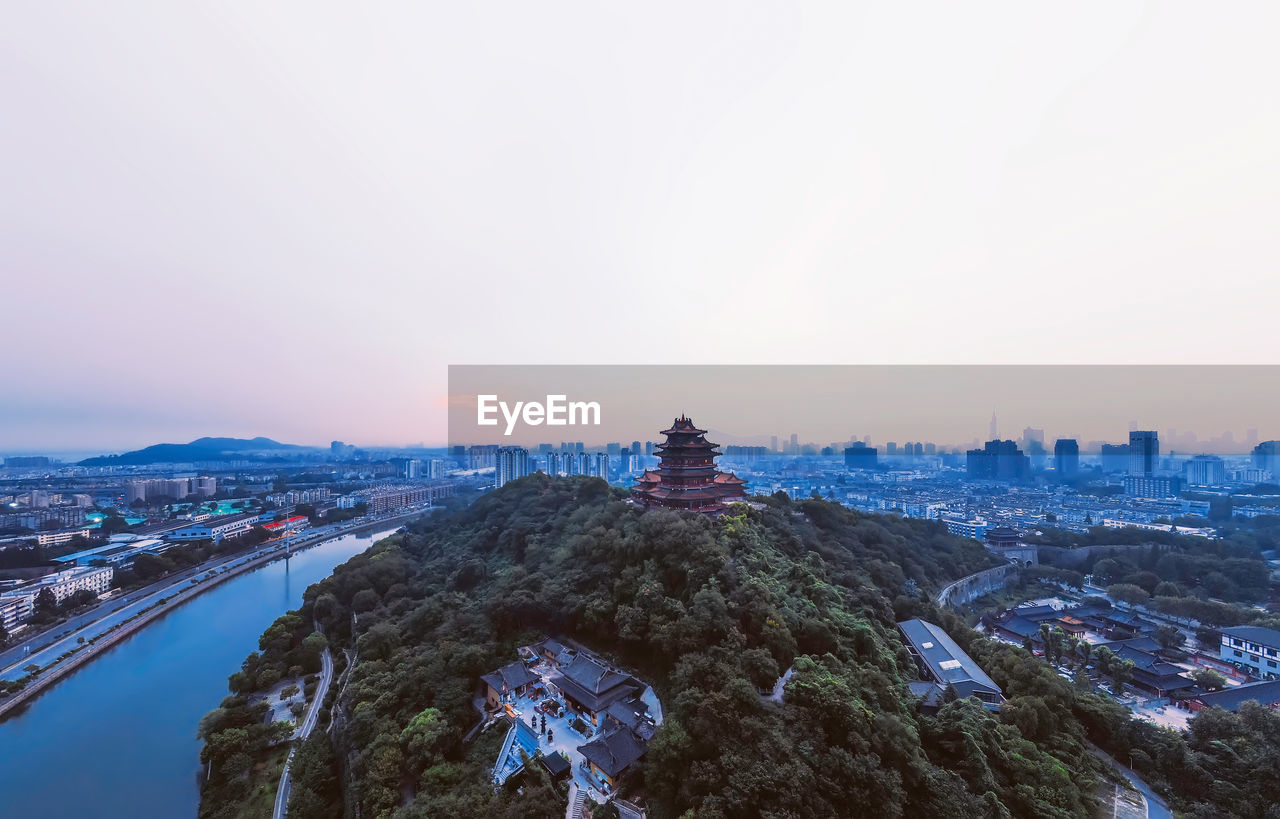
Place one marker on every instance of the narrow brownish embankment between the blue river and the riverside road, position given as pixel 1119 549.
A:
pixel 95 647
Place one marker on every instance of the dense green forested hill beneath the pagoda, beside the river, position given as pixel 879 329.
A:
pixel 706 610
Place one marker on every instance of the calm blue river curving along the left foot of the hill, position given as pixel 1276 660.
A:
pixel 118 736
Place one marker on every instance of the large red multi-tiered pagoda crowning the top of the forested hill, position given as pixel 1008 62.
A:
pixel 687 477
